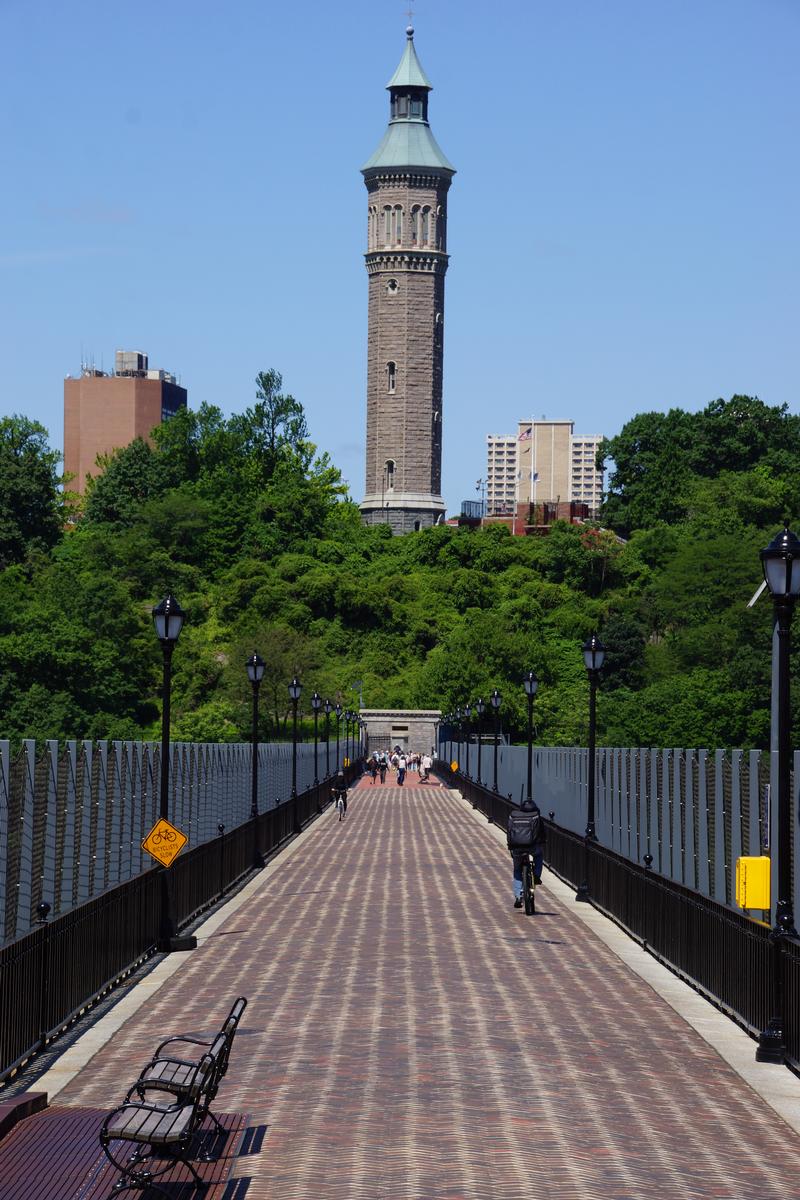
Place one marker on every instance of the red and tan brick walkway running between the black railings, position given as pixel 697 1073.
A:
pixel 410 1035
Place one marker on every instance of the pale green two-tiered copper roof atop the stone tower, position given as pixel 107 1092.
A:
pixel 408 142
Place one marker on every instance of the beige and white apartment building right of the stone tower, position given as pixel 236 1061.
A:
pixel 544 463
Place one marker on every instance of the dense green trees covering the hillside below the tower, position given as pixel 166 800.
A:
pixel 251 529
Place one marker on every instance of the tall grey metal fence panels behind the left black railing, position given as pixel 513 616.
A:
pixel 73 818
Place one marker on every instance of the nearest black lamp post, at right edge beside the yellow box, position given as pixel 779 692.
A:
pixel 781 566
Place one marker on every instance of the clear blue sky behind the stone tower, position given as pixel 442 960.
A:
pixel 183 178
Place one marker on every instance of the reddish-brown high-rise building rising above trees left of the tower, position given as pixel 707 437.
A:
pixel 106 412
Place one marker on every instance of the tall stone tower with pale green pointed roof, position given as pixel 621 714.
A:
pixel 408 179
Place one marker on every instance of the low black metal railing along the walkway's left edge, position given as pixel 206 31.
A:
pixel 64 965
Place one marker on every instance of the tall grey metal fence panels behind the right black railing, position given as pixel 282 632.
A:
pixel 694 812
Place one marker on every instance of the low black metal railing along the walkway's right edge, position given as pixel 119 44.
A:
pixel 721 952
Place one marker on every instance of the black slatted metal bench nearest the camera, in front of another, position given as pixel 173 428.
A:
pixel 164 1135
